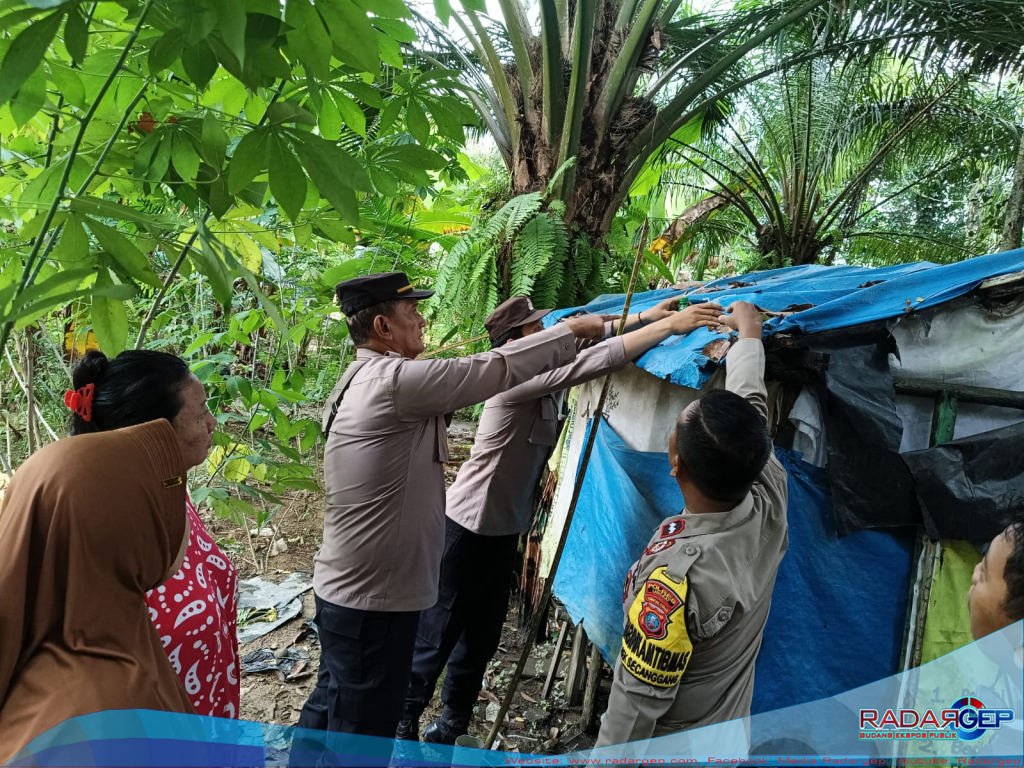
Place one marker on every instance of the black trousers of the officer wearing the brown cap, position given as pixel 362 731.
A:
pixel 464 629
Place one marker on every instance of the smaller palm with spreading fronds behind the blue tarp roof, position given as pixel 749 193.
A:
pixel 872 164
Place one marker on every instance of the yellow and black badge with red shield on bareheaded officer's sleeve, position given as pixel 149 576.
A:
pixel 657 647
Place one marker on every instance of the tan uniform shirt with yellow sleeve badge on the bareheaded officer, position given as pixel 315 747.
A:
pixel 698 600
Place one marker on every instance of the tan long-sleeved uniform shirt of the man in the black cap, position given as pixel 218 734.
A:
pixel 383 467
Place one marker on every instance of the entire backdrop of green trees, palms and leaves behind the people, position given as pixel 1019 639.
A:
pixel 196 176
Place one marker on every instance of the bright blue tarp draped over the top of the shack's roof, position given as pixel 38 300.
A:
pixel 841 295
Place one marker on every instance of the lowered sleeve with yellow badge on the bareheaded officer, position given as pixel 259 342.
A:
pixel 653 661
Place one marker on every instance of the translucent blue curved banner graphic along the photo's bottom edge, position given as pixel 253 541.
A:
pixel 824 733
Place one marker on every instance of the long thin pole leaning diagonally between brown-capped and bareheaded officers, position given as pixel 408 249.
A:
pixel 577 489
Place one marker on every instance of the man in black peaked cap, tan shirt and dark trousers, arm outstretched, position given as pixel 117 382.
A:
pixel 383 471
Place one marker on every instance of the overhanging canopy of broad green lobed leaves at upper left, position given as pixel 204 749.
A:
pixel 193 110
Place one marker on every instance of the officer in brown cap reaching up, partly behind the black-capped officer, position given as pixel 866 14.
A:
pixel 491 504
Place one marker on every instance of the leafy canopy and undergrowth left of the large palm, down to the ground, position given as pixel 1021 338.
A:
pixel 180 175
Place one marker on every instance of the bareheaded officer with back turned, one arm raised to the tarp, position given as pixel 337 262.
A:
pixel 697 601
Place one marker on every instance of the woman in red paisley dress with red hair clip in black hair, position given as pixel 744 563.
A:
pixel 196 611
